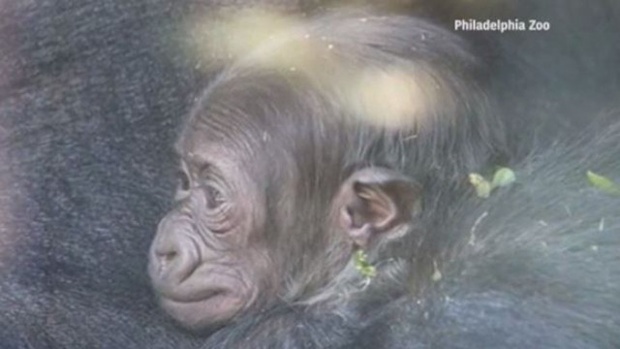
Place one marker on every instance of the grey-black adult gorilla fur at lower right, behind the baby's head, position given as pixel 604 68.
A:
pixel 541 271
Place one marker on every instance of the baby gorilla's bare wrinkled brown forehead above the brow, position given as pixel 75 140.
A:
pixel 249 112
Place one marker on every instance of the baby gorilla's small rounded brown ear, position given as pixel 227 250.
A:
pixel 376 202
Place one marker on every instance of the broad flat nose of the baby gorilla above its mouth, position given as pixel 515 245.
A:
pixel 174 255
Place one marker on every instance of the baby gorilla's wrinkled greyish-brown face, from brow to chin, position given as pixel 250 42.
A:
pixel 202 264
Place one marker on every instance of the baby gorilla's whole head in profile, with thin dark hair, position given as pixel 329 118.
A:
pixel 334 137
